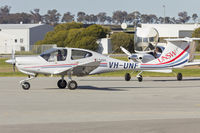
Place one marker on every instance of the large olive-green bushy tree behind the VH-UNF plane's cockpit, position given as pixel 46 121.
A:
pixel 74 35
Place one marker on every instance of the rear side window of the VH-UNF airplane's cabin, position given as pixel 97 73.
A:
pixel 80 54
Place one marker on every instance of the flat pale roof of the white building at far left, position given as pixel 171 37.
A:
pixel 18 26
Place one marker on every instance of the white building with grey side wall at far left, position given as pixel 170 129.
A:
pixel 20 37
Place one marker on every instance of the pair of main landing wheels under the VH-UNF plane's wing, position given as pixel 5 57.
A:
pixel 72 85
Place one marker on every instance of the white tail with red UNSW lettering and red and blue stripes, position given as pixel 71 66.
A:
pixel 175 55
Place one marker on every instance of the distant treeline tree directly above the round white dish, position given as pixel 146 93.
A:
pixel 119 17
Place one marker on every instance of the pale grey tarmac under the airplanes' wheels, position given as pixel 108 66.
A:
pixel 101 105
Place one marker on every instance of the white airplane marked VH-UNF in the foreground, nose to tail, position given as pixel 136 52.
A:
pixel 81 62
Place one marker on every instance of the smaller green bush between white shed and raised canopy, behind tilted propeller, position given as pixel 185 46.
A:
pixel 122 39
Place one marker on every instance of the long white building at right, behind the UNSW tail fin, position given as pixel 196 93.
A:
pixel 173 30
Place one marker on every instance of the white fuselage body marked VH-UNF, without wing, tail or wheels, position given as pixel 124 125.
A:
pixel 41 65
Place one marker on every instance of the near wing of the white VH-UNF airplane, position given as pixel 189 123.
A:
pixel 80 69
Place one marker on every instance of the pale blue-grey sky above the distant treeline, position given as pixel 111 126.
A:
pixel 172 7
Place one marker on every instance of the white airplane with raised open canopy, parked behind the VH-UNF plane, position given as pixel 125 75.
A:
pixel 147 48
